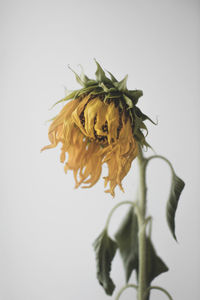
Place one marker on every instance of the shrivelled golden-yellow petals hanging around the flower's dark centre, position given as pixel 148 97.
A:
pixel 93 133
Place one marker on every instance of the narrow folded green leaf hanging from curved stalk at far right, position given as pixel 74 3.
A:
pixel 177 186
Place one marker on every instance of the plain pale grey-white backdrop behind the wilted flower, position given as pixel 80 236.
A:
pixel 46 227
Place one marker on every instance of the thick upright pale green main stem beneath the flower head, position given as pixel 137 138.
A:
pixel 142 286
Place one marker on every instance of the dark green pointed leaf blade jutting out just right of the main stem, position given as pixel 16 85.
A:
pixel 155 265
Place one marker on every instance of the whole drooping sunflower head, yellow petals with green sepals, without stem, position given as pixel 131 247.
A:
pixel 101 124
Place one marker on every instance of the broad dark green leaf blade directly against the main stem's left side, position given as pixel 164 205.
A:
pixel 127 240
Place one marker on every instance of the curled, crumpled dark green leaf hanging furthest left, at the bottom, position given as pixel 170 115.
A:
pixel 105 249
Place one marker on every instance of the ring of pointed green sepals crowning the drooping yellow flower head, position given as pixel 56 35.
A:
pixel 114 90
